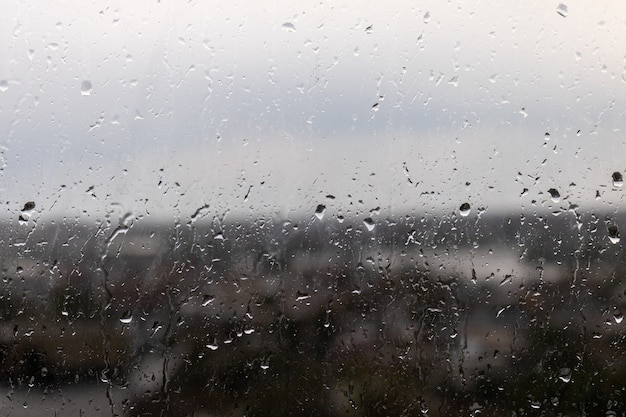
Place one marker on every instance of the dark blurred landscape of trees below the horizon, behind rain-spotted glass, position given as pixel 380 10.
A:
pixel 418 315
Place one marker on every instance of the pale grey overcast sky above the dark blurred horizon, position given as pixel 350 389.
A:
pixel 274 100
